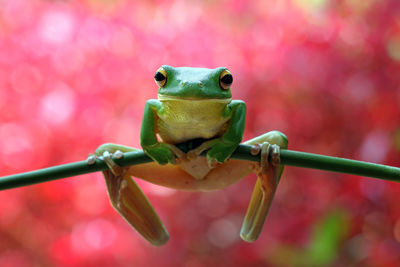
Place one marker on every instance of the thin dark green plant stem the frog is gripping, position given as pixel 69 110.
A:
pixel 288 157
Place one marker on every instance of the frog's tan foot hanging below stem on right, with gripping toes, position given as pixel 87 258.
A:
pixel 268 174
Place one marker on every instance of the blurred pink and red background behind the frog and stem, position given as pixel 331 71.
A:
pixel 76 74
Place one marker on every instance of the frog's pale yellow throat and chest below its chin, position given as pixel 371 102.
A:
pixel 183 120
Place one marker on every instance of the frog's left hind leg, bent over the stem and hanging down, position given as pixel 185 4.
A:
pixel 128 199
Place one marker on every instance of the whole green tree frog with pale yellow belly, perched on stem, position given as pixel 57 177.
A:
pixel 194 108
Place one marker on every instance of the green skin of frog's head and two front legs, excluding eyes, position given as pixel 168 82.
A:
pixel 193 84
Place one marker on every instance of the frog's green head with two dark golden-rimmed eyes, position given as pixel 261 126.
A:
pixel 193 83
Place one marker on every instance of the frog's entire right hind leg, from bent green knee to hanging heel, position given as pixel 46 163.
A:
pixel 267 182
